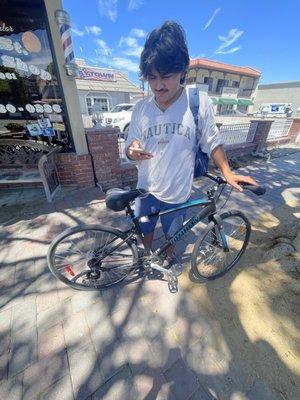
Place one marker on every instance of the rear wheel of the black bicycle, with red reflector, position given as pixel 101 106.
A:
pixel 91 257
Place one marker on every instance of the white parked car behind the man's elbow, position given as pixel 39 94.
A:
pixel 118 117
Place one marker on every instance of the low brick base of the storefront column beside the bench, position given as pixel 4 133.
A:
pixel 74 169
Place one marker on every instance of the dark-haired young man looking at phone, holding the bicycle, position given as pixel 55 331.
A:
pixel 161 136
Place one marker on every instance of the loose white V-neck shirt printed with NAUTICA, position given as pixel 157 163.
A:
pixel 170 137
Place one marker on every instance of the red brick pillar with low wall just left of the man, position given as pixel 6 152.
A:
pixel 109 171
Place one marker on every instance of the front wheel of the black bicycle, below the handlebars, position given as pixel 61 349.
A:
pixel 210 258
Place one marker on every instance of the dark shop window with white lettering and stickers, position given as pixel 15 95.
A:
pixel 31 103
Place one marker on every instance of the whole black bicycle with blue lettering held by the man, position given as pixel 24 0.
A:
pixel 98 257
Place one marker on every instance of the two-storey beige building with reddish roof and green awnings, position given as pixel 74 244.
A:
pixel 230 87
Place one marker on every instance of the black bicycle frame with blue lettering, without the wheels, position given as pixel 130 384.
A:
pixel 209 208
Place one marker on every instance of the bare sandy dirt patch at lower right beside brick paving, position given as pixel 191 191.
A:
pixel 256 309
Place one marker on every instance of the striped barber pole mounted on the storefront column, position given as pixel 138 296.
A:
pixel 64 23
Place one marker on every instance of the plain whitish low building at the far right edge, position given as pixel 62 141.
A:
pixel 278 93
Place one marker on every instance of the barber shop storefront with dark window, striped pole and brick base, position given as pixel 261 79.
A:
pixel 39 104
